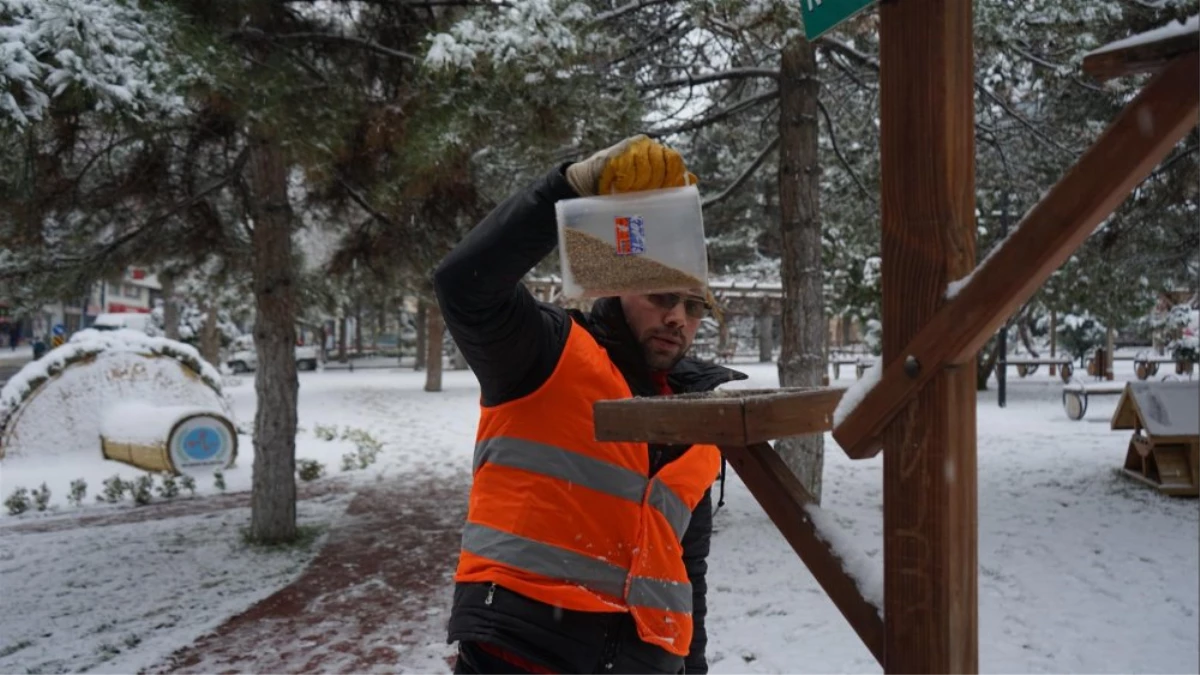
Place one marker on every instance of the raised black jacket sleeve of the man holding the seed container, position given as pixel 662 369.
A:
pixel 511 341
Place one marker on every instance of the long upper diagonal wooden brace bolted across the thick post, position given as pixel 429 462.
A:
pixel 1105 176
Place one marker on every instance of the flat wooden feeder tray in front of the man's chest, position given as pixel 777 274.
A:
pixel 728 417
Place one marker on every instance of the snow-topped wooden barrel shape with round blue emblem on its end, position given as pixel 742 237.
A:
pixel 170 439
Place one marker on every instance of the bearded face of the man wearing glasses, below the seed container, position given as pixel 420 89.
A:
pixel 665 325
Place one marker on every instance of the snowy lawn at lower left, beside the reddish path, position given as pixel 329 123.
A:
pixel 117 599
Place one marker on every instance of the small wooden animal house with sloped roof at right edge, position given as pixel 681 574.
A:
pixel 1165 451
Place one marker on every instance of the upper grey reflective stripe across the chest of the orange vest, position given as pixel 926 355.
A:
pixel 589 473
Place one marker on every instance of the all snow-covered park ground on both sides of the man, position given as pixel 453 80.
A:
pixel 1081 571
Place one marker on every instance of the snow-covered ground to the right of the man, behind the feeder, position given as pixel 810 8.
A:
pixel 1081 571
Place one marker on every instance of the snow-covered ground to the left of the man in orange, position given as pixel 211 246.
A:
pixel 73 596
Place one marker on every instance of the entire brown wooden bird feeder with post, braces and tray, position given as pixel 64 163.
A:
pixel 922 407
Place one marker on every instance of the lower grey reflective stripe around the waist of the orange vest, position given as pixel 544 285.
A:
pixel 575 569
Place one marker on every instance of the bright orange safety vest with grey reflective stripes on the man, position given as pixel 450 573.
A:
pixel 571 522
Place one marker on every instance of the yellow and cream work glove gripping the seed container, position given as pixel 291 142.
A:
pixel 633 165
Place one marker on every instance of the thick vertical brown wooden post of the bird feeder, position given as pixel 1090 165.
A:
pixel 928 217
